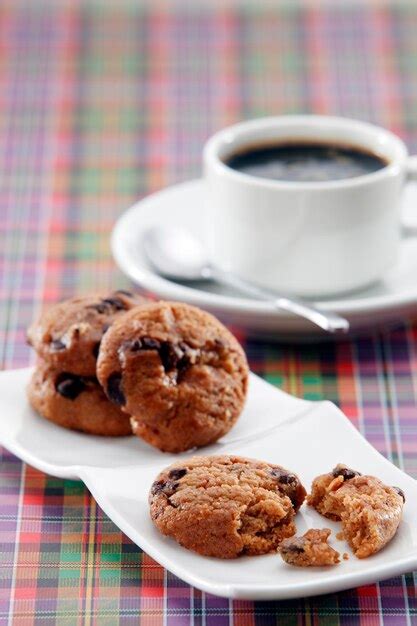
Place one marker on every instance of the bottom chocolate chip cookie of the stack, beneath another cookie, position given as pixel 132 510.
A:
pixel 75 402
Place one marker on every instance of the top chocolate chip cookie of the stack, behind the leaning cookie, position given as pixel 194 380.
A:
pixel 68 334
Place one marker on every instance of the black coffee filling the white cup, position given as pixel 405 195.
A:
pixel 306 162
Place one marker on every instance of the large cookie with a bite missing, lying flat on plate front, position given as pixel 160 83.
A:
pixel 226 506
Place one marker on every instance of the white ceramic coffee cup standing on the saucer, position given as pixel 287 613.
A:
pixel 306 238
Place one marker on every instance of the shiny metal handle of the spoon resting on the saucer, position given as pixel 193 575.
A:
pixel 327 320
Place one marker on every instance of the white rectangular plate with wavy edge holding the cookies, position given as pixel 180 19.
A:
pixel 306 437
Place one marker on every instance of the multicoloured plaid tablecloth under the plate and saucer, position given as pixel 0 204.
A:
pixel 100 104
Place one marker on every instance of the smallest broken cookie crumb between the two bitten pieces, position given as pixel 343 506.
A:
pixel 310 550
